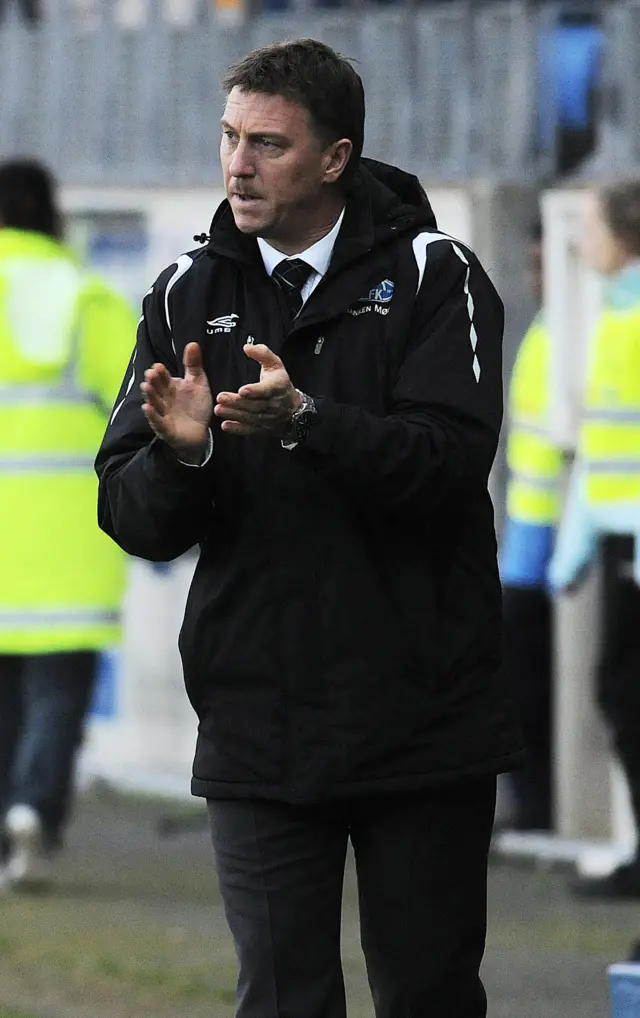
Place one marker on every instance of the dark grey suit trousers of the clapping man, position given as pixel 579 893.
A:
pixel 422 862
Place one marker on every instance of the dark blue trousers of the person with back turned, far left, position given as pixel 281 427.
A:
pixel 44 700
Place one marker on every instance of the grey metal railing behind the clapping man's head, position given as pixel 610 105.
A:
pixel 453 89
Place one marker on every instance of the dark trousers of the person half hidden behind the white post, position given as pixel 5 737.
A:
pixel 528 618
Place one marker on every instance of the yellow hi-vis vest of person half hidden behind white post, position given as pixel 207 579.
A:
pixel 536 464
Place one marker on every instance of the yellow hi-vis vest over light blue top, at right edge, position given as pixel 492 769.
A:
pixel 610 436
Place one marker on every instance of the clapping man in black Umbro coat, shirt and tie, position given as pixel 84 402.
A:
pixel 322 400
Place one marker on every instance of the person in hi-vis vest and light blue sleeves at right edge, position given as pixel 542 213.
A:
pixel 603 512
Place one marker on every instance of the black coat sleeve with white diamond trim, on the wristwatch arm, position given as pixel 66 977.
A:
pixel 442 428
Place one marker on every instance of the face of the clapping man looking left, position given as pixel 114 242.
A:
pixel 278 176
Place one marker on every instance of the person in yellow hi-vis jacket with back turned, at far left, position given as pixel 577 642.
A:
pixel 66 338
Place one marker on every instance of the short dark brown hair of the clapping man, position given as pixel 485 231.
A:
pixel 311 74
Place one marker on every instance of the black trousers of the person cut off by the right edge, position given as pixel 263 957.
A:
pixel 619 669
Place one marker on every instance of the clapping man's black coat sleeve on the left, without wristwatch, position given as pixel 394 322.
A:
pixel 153 506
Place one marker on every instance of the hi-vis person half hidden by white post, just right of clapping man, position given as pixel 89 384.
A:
pixel 536 466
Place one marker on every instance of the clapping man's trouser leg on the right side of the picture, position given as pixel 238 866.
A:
pixel 422 862
